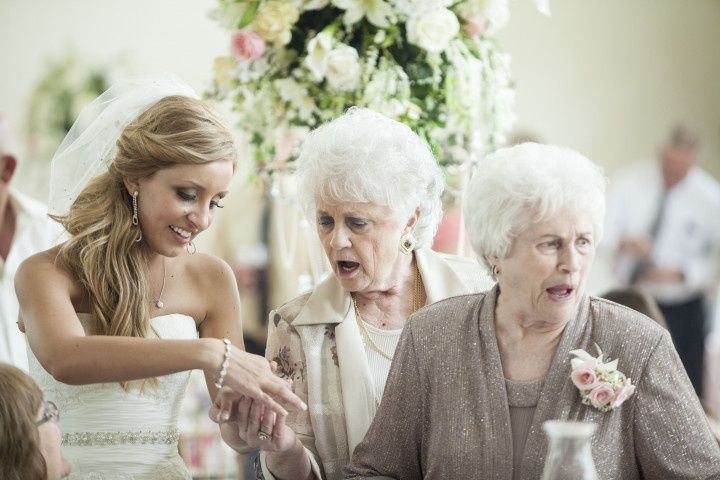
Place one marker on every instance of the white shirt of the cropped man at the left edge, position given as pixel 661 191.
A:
pixel 34 232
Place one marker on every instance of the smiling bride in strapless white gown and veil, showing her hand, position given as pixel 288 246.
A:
pixel 117 315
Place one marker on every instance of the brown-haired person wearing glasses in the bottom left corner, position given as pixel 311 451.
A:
pixel 29 432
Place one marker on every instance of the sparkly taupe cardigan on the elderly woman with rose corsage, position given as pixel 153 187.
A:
pixel 444 413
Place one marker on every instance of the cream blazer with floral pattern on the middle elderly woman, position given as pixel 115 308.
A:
pixel 316 342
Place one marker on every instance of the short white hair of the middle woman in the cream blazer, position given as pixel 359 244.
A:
pixel 365 157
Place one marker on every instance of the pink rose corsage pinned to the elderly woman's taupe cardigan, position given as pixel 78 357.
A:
pixel 600 383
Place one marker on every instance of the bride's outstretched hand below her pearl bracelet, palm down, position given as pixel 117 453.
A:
pixel 252 376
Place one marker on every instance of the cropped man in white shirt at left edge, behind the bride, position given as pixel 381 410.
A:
pixel 25 229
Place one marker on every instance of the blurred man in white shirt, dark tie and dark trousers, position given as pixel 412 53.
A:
pixel 663 222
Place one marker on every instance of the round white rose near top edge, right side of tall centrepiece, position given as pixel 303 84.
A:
pixel 433 29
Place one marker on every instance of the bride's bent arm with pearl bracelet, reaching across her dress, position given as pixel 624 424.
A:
pixel 58 340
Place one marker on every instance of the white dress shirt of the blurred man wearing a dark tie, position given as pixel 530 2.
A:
pixel 688 238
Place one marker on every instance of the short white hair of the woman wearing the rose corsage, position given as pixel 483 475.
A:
pixel 518 186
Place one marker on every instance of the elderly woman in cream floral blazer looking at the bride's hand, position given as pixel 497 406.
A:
pixel 373 189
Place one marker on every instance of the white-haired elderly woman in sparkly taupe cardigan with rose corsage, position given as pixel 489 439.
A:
pixel 475 376
